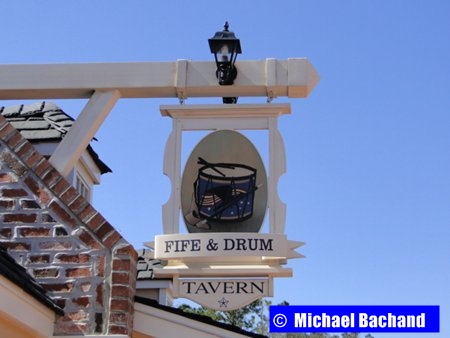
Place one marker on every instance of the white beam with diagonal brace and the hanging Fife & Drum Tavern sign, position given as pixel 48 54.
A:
pixel 225 191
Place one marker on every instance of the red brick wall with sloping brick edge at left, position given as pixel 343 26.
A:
pixel 80 259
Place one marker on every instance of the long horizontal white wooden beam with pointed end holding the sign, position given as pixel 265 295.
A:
pixel 293 78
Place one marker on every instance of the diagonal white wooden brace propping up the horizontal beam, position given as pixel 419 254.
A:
pixel 83 130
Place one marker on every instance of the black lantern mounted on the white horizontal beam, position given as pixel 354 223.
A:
pixel 225 47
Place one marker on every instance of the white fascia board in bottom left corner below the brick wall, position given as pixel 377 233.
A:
pixel 18 304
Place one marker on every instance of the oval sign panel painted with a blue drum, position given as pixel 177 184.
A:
pixel 224 185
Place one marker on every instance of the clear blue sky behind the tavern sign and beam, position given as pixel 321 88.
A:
pixel 368 153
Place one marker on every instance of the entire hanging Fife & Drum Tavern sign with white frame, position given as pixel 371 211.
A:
pixel 224 195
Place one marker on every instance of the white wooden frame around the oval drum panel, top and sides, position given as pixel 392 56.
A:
pixel 234 117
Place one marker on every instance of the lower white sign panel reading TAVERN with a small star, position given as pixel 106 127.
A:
pixel 223 294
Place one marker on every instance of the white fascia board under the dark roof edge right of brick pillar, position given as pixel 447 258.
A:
pixel 159 323
